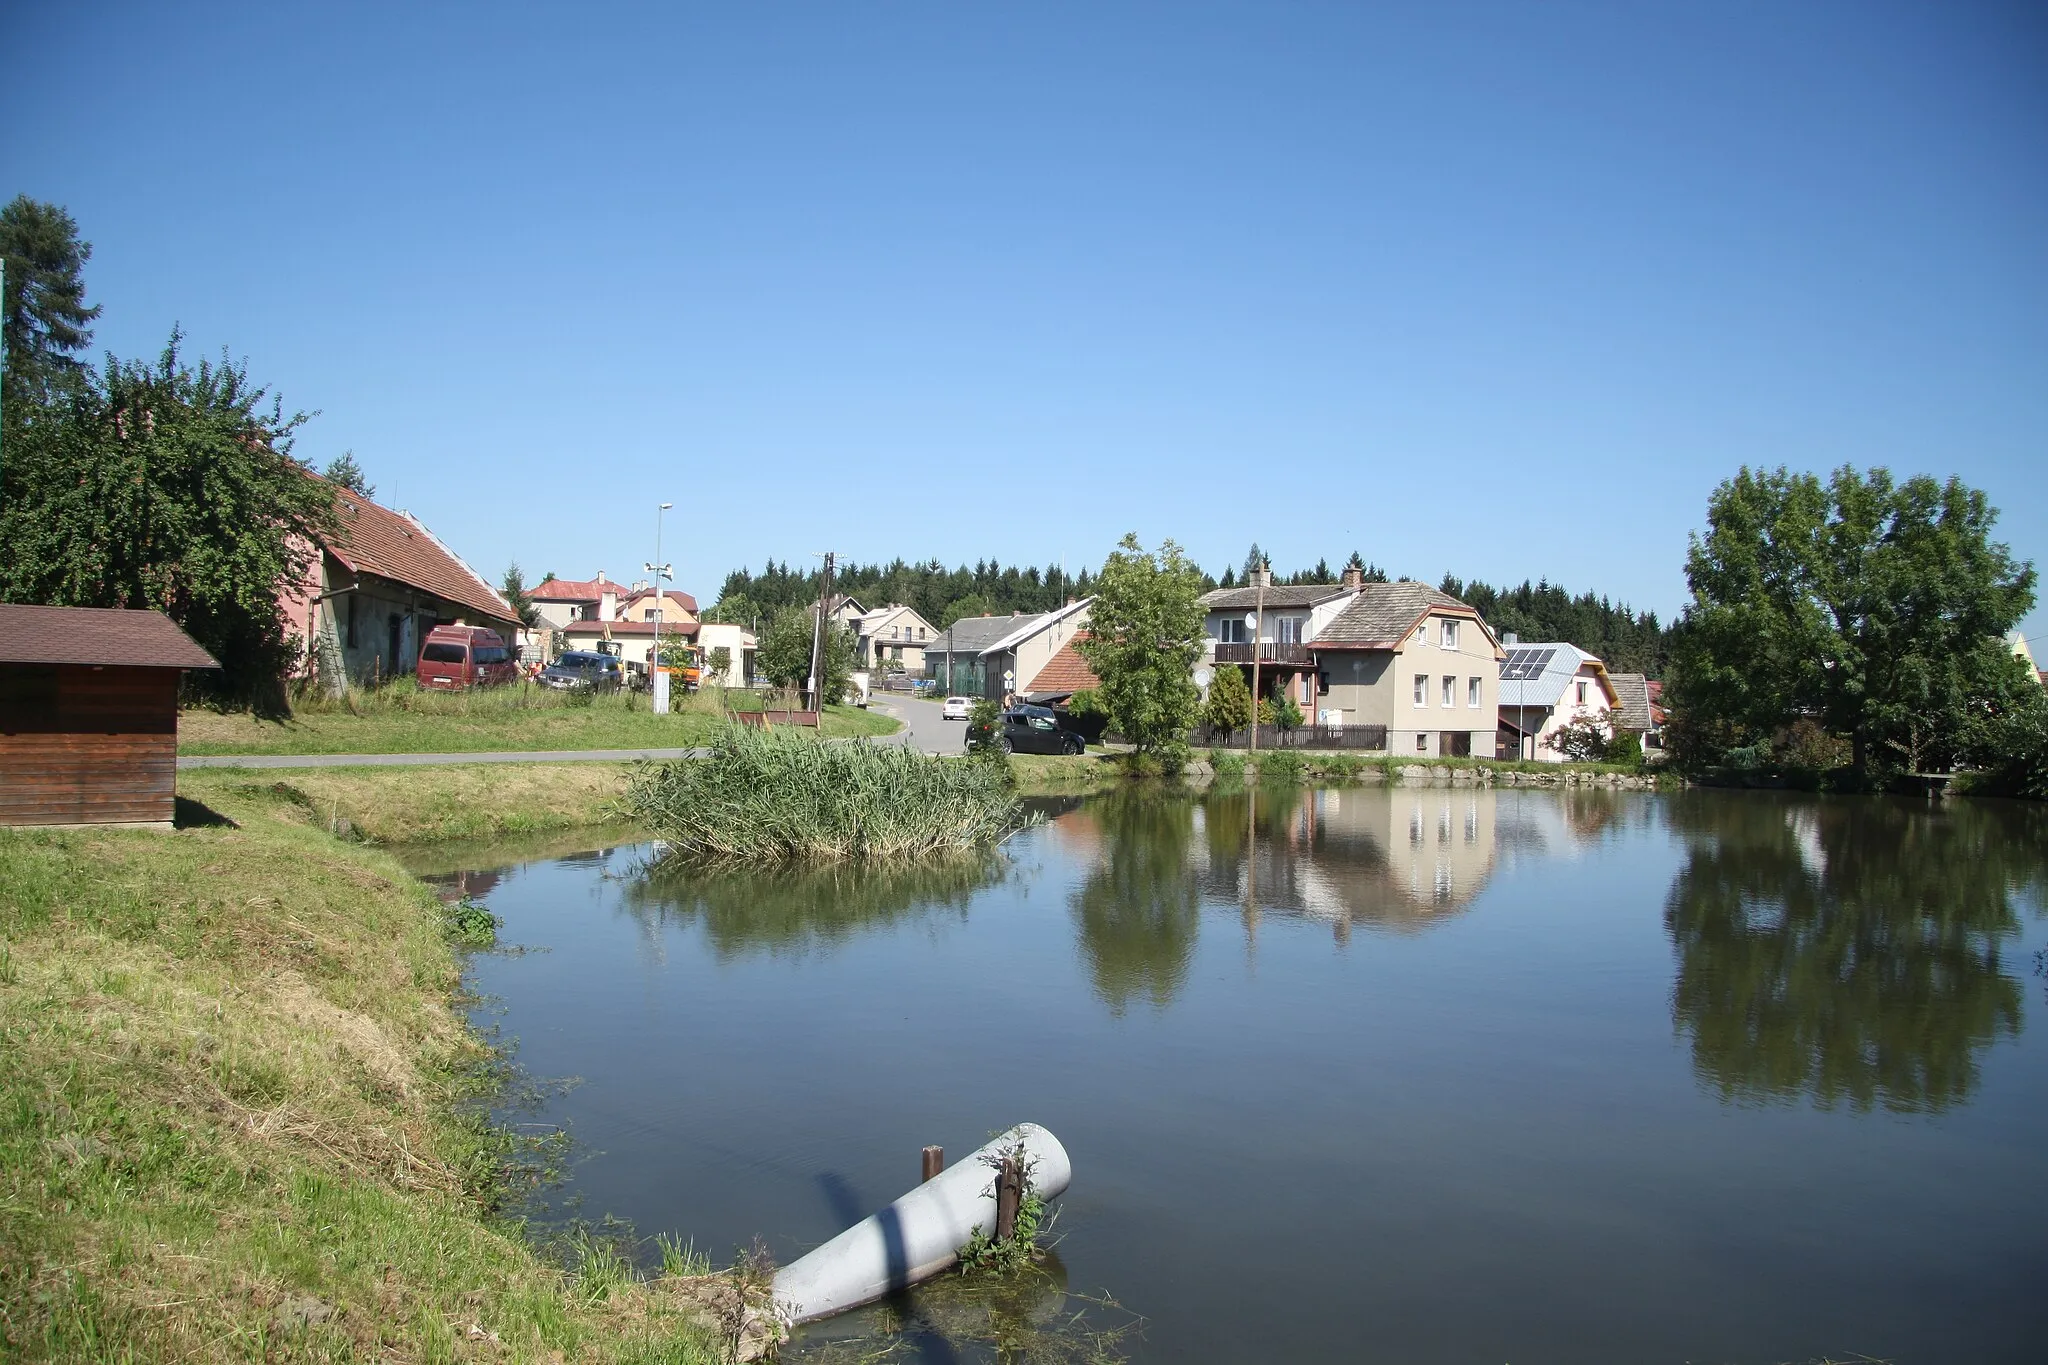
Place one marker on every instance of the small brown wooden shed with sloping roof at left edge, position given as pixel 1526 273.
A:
pixel 89 715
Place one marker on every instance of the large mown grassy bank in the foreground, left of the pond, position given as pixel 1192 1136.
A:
pixel 232 1116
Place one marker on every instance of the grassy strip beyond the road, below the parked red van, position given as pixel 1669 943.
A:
pixel 402 719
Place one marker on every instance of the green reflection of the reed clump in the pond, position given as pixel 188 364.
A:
pixel 792 912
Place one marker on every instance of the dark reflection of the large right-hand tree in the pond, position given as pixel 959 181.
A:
pixel 1848 953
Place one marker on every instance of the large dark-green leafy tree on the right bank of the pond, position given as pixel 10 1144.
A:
pixel 1871 605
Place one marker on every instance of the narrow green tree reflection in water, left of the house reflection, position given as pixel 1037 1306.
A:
pixel 1138 914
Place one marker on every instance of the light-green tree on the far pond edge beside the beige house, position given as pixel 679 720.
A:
pixel 1144 637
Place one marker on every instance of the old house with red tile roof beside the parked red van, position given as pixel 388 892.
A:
pixel 376 586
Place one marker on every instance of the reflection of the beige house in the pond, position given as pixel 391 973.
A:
pixel 1390 858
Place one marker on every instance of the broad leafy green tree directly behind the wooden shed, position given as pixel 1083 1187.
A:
pixel 173 488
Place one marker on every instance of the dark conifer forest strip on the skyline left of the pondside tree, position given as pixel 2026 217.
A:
pixel 939 595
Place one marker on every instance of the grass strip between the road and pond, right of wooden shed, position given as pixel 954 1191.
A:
pixel 413 805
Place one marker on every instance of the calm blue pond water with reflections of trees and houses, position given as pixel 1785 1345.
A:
pixel 1381 1075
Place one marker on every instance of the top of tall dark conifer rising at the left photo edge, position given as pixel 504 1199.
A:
pixel 48 320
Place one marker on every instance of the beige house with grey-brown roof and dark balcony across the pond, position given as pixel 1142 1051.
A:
pixel 1398 656
